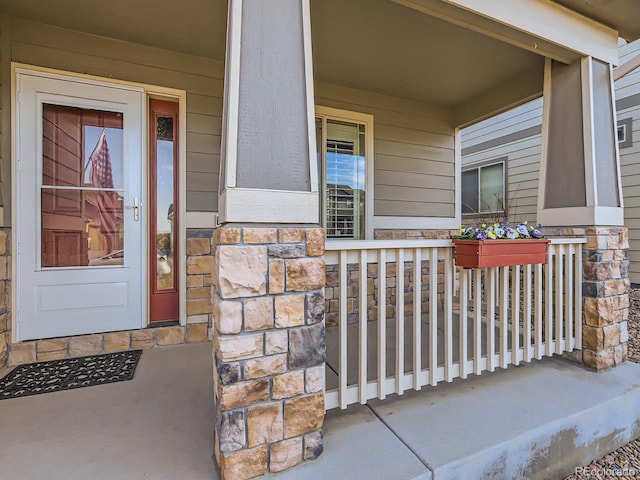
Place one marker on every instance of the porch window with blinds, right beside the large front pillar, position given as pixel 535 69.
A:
pixel 341 146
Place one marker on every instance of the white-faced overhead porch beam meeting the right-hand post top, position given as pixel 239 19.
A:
pixel 543 27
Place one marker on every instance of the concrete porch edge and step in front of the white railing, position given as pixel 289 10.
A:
pixel 534 421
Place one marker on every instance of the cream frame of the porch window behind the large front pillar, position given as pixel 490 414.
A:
pixel 330 113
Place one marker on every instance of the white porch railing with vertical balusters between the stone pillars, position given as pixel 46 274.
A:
pixel 453 321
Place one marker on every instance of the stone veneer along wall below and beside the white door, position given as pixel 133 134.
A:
pixel 197 329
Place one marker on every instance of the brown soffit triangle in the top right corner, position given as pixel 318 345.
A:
pixel 621 15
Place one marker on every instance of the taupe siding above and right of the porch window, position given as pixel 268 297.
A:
pixel 414 170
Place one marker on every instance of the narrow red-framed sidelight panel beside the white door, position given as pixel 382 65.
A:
pixel 163 210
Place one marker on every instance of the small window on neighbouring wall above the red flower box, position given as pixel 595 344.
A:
pixel 483 189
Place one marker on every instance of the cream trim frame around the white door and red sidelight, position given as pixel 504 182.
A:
pixel 149 91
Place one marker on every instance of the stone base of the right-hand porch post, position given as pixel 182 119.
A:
pixel 606 301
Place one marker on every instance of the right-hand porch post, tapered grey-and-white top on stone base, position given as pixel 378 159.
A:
pixel 580 185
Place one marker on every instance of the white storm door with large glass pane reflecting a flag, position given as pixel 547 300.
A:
pixel 79 216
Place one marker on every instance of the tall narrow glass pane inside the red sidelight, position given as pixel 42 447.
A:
pixel 165 193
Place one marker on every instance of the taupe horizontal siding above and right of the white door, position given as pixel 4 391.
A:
pixel 201 78
